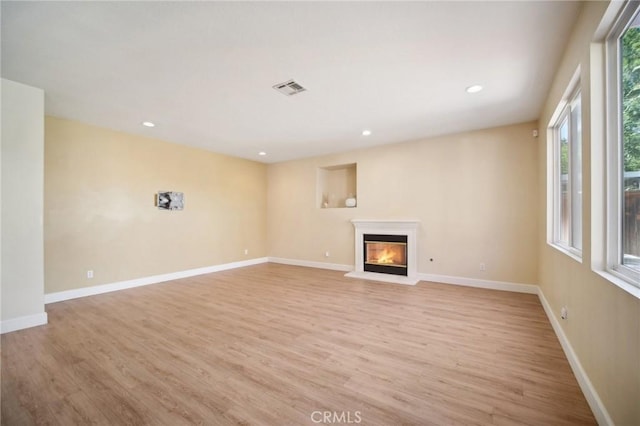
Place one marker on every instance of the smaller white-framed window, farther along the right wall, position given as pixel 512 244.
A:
pixel 565 165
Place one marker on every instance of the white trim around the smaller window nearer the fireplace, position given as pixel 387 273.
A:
pixel 553 165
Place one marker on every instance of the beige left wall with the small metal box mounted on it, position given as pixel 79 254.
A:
pixel 99 208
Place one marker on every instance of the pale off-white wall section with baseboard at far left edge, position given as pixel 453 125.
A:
pixel 22 193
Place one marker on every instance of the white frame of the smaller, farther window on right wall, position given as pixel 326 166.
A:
pixel 569 102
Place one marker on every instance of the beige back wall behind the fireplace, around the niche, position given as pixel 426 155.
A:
pixel 473 193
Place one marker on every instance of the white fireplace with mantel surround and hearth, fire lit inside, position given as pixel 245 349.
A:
pixel 386 250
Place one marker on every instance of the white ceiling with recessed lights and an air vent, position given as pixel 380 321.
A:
pixel 204 71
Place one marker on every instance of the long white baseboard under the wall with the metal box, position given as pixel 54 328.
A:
pixel 155 279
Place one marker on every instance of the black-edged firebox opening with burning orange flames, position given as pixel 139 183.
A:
pixel 385 254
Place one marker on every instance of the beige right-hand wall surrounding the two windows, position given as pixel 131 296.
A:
pixel 604 321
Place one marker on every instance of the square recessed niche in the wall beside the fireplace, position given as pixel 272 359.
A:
pixel 336 185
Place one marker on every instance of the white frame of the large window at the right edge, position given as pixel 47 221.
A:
pixel 614 180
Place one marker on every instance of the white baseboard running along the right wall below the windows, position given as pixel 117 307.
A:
pixel 593 399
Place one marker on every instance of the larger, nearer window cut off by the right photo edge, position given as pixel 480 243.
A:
pixel 623 147
